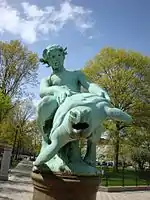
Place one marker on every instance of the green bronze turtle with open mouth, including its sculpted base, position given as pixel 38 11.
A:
pixel 80 117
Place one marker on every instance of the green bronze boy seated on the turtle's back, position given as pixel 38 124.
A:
pixel 61 84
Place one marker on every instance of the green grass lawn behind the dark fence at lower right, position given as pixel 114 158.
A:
pixel 131 178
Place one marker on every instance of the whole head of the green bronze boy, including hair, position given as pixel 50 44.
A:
pixel 54 56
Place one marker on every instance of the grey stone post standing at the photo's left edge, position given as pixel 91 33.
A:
pixel 5 163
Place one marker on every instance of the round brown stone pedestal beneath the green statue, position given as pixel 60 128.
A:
pixel 51 186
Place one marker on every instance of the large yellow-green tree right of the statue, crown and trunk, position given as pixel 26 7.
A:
pixel 125 75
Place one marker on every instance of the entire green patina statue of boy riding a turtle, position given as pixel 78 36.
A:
pixel 65 115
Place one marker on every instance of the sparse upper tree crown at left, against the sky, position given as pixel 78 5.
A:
pixel 18 67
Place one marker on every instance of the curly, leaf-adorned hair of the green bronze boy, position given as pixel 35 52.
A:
pixel 48 50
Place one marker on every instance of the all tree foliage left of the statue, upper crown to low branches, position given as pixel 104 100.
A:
pixel 18 69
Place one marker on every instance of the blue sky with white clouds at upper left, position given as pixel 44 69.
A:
pixel 83 26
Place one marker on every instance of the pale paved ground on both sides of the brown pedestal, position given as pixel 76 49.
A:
pixel 19 187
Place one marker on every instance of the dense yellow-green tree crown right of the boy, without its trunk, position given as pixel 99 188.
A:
pixel 122 73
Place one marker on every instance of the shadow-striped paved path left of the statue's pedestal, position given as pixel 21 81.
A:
pixel 19 186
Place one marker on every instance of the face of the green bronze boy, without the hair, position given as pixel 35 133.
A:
pixel 56 59
